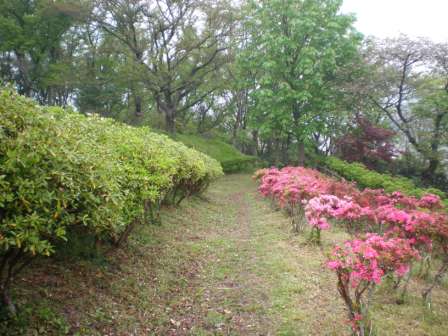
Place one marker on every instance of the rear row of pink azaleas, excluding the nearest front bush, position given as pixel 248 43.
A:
pixel 323 198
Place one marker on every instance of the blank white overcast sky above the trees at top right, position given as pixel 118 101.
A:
pixel 388 18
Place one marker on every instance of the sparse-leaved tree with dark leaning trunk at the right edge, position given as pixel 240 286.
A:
pixel 409 85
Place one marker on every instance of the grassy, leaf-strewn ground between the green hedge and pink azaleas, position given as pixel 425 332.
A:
pixel 224 264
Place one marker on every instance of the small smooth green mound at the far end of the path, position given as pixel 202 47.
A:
pixel 231 159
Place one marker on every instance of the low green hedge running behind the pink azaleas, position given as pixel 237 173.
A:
pixel 366 178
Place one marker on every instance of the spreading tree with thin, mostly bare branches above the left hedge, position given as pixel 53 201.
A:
pixel 177 45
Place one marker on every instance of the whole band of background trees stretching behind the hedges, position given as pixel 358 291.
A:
pixel 282 79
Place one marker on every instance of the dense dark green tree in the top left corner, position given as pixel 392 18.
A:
pixel 34 57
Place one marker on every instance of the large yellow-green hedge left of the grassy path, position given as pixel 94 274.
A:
pixel 63 172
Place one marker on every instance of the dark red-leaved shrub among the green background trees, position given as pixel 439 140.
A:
pixel 367 143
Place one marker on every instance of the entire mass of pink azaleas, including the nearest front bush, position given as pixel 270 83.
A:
pixel 391 231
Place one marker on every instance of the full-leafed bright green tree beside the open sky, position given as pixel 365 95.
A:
pixel 298 47
